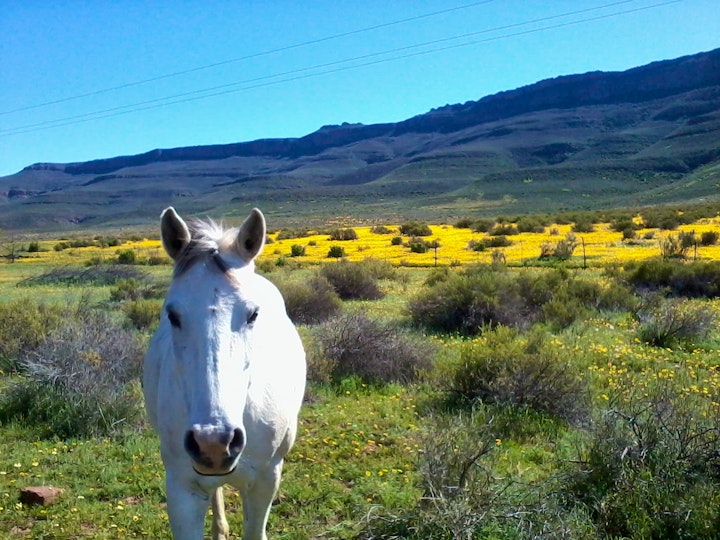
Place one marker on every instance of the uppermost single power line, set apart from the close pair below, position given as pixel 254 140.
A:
pixel 244 58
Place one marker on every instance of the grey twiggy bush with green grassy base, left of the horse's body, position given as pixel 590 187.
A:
pixel 79 381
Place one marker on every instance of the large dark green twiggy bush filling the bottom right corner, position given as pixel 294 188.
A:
pixel 650 468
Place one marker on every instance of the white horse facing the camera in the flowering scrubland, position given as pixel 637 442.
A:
pixel 224 377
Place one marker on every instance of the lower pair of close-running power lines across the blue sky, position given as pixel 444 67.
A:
pixel 256 83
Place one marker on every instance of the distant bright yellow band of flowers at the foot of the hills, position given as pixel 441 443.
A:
pixel 598 247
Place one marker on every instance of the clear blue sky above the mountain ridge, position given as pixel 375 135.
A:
pixel 89 79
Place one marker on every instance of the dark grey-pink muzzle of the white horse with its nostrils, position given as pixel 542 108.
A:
pixel 214 451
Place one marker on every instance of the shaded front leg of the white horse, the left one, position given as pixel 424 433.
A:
pixel 187 506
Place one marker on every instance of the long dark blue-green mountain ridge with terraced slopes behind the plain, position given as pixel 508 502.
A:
pixel 649 135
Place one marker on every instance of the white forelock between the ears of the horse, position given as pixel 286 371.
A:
pixel 207 239
